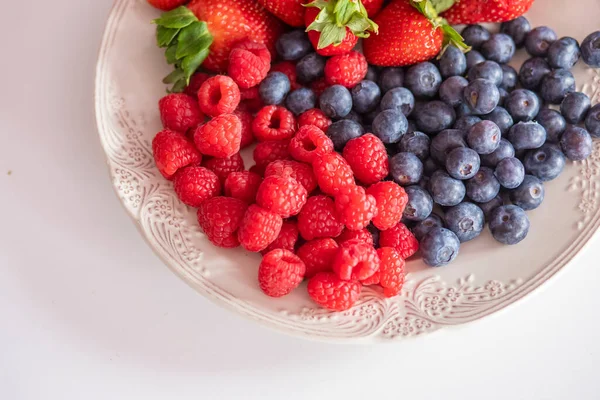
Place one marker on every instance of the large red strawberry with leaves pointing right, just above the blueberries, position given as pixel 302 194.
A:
pixel 409 32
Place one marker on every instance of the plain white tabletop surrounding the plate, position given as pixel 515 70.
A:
pixel 88 312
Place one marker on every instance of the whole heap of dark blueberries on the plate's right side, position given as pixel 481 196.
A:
pixel 469 138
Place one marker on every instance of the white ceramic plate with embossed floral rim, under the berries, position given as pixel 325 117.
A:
pixel 485 277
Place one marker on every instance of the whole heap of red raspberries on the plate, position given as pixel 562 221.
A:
pixel 314 214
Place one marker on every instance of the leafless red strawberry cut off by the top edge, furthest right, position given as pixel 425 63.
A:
pixel 476 11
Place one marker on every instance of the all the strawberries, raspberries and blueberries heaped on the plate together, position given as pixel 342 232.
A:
pixel 364 159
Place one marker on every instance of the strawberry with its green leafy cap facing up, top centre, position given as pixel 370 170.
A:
pixel 334 26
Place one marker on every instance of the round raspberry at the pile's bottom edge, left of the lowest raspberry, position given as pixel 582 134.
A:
pixel 280 272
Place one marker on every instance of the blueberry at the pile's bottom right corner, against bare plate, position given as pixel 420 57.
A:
pixel 509 224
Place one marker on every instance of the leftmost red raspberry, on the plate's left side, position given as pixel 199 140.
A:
pixel 172 151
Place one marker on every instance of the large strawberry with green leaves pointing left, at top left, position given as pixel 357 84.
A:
pixel 204 33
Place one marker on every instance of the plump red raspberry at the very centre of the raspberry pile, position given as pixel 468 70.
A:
pixel 282 195
